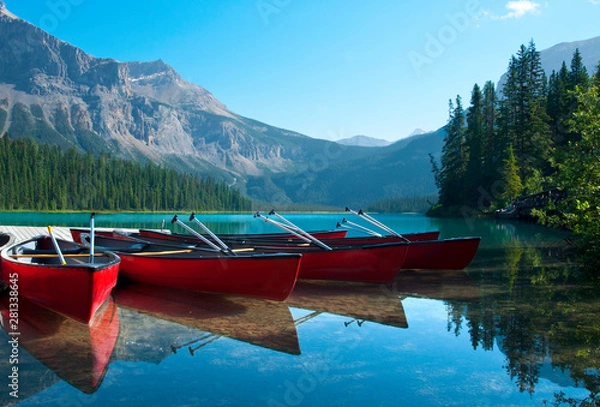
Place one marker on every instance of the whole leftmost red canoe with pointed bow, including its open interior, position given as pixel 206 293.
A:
pixel 76 289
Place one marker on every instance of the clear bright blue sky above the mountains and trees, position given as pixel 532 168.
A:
pixel 328 69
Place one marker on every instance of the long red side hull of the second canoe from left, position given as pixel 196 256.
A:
pixel 263 276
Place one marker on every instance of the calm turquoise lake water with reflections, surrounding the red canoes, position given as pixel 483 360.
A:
pixel 518 327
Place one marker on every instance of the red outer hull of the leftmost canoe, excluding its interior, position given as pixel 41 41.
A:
pixel 76 291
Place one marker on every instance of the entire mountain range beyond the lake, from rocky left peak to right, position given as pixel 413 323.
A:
pixel 59 94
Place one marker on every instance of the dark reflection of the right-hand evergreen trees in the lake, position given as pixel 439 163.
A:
pixel 540 310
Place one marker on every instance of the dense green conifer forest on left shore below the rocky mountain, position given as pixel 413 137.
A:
pixel 42 177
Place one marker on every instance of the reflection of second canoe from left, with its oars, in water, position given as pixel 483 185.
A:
pixel 263 323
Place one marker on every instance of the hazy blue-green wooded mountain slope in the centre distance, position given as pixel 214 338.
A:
pixel 402 169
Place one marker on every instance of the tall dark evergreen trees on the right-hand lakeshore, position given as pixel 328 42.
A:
pixel 537 133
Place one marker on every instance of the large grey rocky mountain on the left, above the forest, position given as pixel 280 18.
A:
pixel 141 110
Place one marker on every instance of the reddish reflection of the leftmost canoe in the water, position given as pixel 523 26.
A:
pixel 78 353
